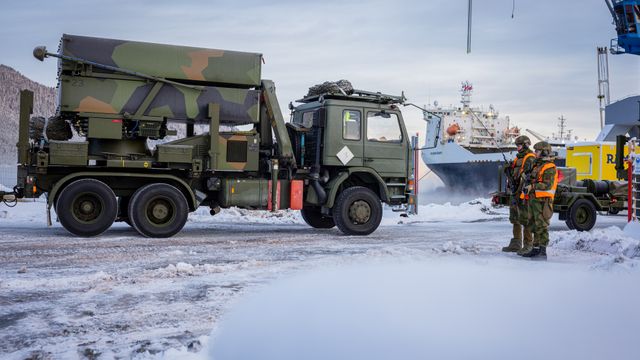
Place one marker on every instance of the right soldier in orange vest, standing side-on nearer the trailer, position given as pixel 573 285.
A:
pixel 541 191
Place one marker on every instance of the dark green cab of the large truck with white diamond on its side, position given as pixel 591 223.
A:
pixel 363 143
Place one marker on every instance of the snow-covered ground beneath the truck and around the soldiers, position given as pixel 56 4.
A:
pixel 124 296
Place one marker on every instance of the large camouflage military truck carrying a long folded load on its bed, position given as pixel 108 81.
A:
pixel 342 154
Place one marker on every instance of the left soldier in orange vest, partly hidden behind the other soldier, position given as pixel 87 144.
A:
pixel 518 210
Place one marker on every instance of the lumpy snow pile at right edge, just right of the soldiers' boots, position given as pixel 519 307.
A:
pixel 611 240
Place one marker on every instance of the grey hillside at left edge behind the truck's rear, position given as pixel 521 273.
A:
pixel 11 82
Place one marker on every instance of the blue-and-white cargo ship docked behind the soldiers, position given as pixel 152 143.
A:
pixel 466 146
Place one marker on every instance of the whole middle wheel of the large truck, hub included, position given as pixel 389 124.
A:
pixel 158 210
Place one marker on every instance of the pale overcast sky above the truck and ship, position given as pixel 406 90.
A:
pixel 534 67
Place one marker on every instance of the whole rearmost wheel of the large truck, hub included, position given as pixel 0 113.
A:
pixel 87 207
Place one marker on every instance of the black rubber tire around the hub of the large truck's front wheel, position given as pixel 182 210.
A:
pixel 341 211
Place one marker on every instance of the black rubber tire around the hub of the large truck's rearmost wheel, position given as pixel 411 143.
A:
pixel 104 220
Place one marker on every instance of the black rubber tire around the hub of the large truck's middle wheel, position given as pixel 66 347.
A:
pixel 141 223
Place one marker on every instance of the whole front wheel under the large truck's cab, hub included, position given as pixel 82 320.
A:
pixel 357 211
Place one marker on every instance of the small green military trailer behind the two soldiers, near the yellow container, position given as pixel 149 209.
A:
pixel 578 202
